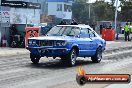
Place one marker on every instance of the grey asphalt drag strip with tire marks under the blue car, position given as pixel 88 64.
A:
pixel 18 71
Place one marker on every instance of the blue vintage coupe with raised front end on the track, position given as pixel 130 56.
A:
pixel 67 42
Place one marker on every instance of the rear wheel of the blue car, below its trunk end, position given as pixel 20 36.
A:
pixel 98 56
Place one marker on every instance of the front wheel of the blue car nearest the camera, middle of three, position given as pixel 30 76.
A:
pixel 71 57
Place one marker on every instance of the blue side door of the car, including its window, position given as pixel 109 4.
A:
pixel 85 43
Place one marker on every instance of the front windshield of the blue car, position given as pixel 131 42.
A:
pixel 64 31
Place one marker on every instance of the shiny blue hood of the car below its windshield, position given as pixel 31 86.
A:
pixel 53 38
